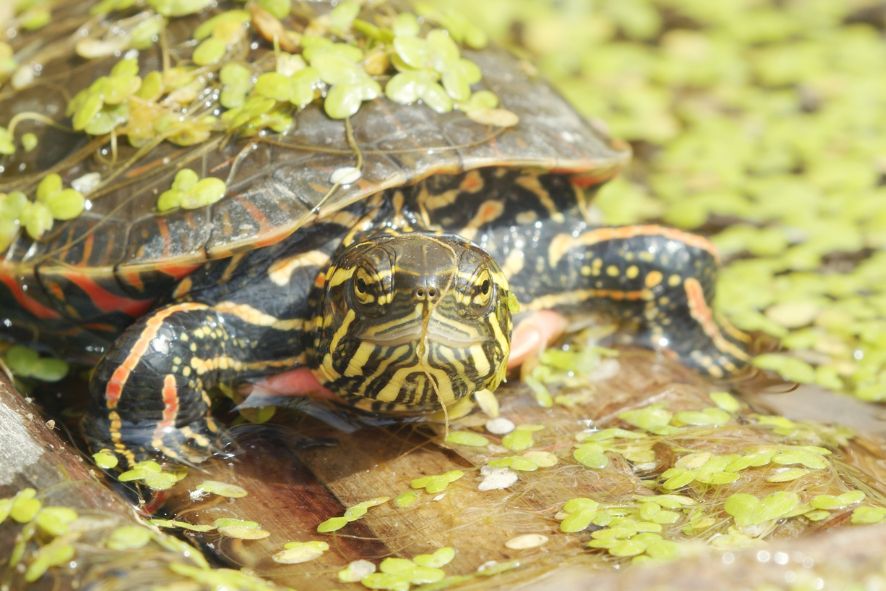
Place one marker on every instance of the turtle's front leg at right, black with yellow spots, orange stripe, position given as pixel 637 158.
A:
pixel 658 282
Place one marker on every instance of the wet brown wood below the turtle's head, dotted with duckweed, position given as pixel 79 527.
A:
pixel 299 472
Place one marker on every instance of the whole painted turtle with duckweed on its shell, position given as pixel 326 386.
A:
pixel 396 287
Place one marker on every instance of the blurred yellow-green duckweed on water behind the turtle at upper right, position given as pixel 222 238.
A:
pixel 759 122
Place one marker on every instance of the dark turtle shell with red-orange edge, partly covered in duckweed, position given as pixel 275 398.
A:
pixel 98 271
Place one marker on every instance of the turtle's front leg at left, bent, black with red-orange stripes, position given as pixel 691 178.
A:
pixel 149 393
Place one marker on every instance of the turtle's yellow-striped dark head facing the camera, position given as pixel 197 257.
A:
pixel 412 323
